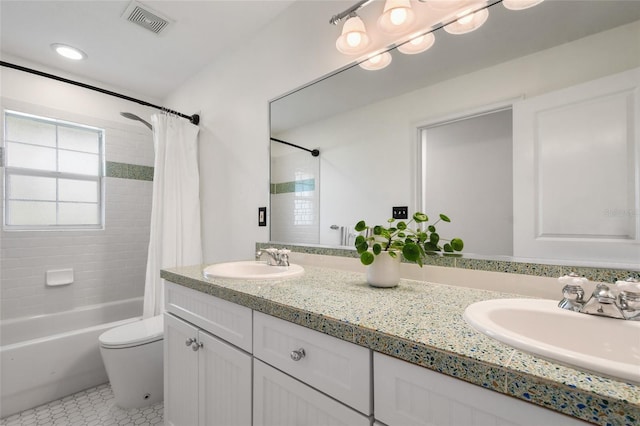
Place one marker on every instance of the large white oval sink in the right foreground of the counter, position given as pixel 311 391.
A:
pixel 607 346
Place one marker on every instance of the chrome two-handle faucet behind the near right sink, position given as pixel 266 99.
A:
pixel 621 302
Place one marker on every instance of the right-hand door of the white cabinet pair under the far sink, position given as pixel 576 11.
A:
pixel 225 383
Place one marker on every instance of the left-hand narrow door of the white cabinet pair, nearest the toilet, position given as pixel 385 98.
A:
pixel 180 373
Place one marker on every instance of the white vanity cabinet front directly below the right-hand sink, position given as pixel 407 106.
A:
pixel 408 395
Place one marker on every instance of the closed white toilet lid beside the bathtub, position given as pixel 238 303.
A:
pixel 134 334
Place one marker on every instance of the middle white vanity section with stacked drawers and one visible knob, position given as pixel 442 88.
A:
pixel 301 374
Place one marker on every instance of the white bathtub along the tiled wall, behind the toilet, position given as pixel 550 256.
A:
pixel 47 357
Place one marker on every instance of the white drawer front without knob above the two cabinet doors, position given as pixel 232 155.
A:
pixel 223 319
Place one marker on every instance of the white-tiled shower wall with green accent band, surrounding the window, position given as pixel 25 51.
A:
pixel 108 264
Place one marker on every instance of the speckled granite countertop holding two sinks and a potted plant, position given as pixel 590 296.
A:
pixel 421 322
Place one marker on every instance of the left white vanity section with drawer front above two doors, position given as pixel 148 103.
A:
pixel 207 380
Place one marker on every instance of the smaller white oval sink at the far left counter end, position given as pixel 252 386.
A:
pixel 251 270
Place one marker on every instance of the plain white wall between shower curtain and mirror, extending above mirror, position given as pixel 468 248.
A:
pixel 232 96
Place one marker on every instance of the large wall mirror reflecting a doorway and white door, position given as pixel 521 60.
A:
pixel 524 132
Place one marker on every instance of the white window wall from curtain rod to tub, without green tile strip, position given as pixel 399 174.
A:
pixel 109 264
